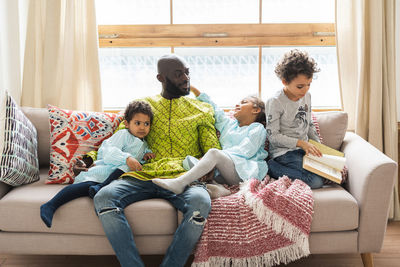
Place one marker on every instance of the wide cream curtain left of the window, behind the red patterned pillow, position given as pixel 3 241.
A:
pixel 61 65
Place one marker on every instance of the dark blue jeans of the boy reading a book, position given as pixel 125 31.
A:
pixel 291 165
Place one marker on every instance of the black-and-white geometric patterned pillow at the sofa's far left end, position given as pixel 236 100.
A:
pixel 18 144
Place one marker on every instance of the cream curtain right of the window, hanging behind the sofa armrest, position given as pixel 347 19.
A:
pixel 365 31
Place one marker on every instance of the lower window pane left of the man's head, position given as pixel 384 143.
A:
pixel 128 74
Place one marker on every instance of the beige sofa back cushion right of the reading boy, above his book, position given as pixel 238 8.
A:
pixel 333 127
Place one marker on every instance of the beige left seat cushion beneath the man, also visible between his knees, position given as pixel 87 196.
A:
pixel 20 210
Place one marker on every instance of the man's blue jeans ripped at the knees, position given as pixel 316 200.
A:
pixel 110 201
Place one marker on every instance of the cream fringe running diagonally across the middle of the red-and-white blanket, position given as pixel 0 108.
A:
pixel 274 220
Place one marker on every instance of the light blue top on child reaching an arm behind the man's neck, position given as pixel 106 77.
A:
pixel 244 145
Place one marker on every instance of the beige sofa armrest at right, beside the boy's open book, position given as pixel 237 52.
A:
pixel 371 180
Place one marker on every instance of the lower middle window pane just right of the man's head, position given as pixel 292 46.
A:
pixel 226 74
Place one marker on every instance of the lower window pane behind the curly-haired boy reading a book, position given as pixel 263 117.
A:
pixel 324 89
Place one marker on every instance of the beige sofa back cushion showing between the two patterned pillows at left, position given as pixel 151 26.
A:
pixel 40 119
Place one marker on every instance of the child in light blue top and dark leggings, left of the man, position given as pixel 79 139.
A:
pixel 125 150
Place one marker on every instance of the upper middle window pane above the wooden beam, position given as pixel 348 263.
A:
pixel 215 11
